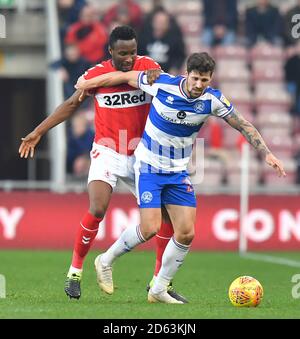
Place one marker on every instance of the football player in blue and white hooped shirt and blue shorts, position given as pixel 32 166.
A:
pixel 180 106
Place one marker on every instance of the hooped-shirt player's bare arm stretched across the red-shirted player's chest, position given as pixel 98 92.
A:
pixel 109 79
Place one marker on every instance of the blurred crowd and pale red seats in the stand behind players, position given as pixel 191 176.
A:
pixel 257 51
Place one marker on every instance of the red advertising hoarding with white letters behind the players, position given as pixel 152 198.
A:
pixel 43 220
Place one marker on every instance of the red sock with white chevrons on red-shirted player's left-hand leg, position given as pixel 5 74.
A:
pixel 85 236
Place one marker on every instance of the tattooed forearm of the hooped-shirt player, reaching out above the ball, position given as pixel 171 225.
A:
pixel 237 121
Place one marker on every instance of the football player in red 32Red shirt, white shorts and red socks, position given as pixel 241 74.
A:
pixel 120 116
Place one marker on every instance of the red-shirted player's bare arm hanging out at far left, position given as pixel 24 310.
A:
pixel 62 113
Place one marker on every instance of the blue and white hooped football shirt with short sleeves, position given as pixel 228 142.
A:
pixel 174 121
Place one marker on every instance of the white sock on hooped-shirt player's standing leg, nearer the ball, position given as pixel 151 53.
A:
pixel 172 259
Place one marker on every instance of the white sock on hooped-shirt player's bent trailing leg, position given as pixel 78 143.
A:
pixel 130 238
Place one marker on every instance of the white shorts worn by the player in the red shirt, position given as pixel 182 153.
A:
pixel 110 166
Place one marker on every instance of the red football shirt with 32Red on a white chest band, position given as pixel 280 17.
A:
pixel 120 111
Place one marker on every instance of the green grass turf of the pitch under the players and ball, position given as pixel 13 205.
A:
pixel 35 287
